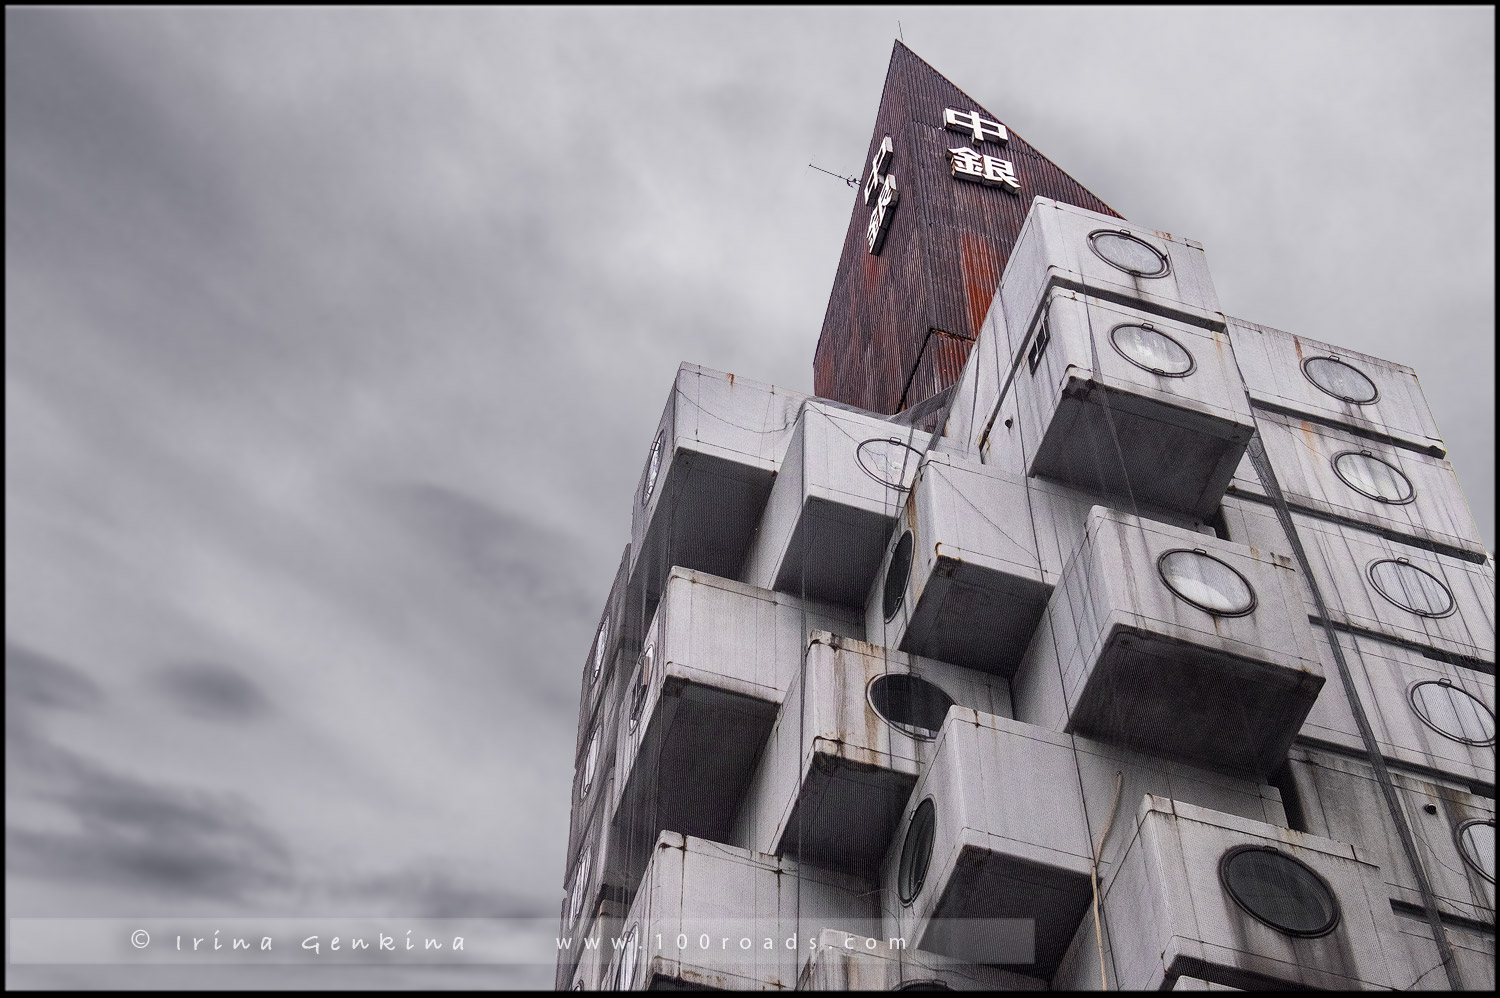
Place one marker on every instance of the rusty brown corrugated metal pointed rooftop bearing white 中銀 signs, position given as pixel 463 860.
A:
pixel 943 256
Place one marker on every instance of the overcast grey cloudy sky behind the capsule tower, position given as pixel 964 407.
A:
pixel 335 343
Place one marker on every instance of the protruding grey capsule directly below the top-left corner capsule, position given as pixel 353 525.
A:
pixel 715 666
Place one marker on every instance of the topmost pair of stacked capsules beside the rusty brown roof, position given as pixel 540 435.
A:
pixel 1121 377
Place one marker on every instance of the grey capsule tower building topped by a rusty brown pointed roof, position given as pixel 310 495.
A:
pixel 1076 636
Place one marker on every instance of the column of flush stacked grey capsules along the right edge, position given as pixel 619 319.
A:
pixel 1403 591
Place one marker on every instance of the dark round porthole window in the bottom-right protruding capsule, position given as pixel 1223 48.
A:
pixel 1279 891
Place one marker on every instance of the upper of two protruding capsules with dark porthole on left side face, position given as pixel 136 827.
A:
pixel 961 582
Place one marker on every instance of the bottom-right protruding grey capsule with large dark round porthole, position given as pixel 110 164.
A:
pixel 1244 904
